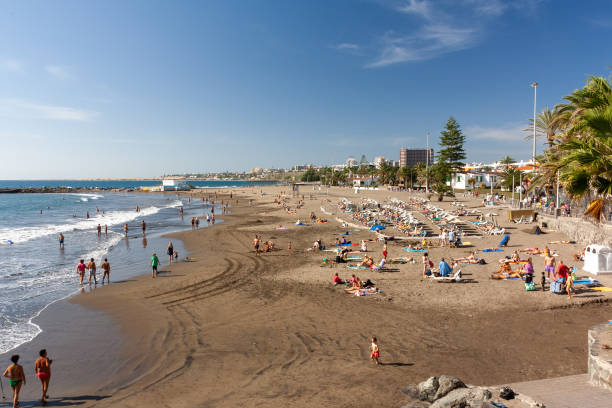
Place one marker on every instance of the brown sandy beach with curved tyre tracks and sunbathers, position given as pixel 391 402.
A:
pixel 230 328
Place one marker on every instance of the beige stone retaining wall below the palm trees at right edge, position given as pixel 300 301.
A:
pixel 579 230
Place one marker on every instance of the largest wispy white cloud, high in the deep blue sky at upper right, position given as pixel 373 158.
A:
pixel 431 41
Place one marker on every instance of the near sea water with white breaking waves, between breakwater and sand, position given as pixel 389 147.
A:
pixel 34 271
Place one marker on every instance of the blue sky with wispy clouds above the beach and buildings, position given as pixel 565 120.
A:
pixel 143 88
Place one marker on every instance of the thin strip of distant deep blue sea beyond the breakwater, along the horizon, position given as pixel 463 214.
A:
pixel 126 184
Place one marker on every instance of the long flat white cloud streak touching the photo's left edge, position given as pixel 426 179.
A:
pixel 18 108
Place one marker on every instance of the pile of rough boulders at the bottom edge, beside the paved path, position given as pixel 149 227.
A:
pixel 450 392
